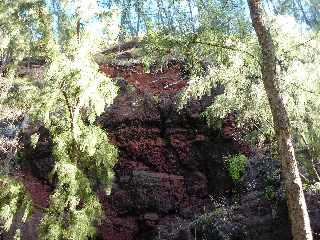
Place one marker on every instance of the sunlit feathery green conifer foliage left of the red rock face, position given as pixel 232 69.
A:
pixel 69 98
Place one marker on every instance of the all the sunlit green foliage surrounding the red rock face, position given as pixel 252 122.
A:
pixel 213 39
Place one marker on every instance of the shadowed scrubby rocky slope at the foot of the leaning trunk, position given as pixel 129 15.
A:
pixel 257 210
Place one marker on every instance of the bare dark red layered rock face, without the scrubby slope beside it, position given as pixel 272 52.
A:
pixel 170 162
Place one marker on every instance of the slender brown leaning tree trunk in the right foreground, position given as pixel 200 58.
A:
pixel 300 223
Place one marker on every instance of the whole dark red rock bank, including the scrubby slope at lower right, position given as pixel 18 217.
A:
pixel 171 180
